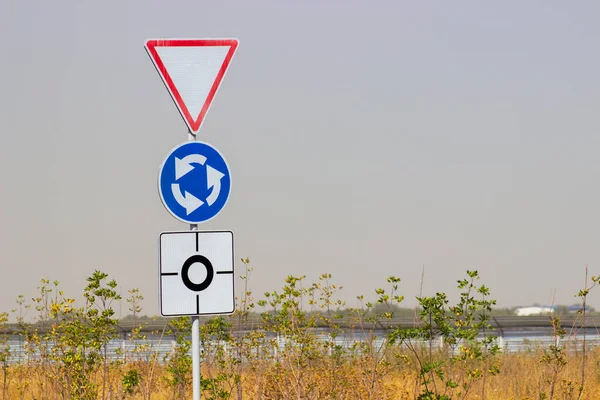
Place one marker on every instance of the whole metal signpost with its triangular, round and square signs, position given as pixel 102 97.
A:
pixel 192 71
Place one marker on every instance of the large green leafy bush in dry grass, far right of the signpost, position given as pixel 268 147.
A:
pixel 465 357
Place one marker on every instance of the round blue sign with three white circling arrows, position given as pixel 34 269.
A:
pixel 194 182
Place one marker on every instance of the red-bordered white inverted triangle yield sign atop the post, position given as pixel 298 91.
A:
pixel 192 70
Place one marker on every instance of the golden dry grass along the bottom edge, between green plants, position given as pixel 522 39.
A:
pixel 522 377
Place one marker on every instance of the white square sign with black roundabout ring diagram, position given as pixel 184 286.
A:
pixel 196 273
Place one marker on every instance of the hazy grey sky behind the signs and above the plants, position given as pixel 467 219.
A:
pixel 365 139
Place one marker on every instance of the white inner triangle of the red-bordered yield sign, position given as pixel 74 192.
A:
pixel 193 70
